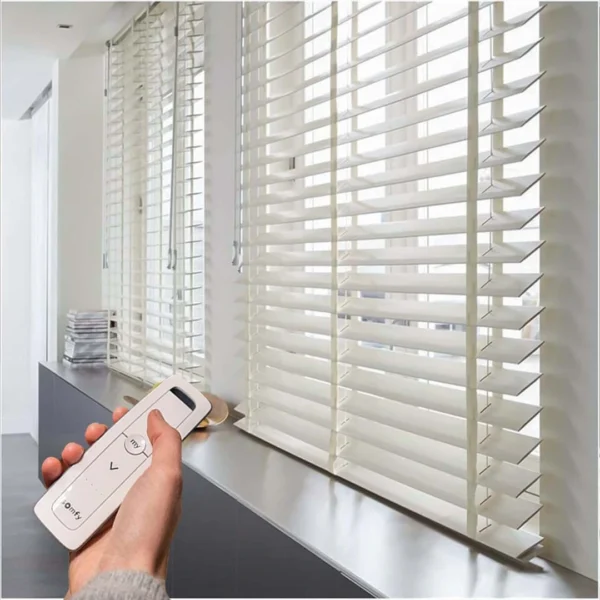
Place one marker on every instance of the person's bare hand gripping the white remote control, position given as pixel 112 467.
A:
pixel 139 535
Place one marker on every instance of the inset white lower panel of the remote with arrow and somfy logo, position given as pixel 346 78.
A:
pixel 93 487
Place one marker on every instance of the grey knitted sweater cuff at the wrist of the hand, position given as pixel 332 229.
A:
pixel 123 585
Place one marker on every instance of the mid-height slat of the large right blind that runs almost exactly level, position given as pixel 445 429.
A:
pixel 502 285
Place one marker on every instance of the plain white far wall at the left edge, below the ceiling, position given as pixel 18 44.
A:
pixel 15 235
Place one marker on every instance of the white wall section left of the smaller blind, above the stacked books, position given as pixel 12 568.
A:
pixel 78 92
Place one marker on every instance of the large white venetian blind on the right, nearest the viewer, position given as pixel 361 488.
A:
pixel 390 244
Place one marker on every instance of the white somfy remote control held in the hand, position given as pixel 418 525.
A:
pixel 89 492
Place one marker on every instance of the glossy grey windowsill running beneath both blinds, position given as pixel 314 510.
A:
pixel 386 551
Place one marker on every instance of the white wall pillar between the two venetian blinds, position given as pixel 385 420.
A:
pixel 224 310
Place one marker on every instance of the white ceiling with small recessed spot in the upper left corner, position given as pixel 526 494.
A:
pixel 32 42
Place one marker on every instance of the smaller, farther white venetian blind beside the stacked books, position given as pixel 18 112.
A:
pixel 154 194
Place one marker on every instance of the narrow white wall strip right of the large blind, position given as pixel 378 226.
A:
pixel 569 288
